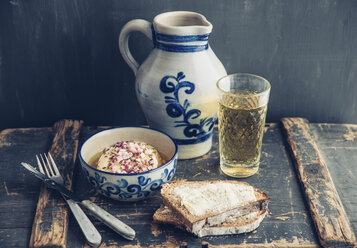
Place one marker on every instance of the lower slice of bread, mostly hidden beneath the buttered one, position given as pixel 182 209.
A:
pixel 243 224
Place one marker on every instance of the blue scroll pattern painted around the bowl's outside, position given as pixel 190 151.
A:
pixel 124 190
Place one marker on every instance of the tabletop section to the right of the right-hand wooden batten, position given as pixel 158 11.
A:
pixel 338 147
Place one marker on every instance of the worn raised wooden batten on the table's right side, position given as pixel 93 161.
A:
pixel 330 219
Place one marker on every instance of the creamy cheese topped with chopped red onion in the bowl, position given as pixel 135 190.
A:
pixel 127 157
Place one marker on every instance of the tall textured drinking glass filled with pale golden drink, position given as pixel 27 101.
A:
pixel 243 100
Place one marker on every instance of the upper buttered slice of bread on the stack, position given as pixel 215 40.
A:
pixel 211 203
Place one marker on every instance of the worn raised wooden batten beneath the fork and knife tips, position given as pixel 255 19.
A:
pixel 51 219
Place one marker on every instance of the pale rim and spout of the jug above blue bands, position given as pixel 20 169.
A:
pixel 182 23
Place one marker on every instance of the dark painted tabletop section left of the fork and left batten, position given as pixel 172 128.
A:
pixel 18 190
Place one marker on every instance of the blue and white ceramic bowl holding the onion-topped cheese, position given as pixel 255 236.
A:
pixel 129 187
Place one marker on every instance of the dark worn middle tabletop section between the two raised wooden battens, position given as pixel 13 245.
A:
pixel 287 224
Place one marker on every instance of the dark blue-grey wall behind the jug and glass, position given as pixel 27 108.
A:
pixel 60 58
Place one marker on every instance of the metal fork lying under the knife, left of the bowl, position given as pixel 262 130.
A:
pixel 47 166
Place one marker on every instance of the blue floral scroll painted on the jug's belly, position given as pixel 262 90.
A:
pixel 200 131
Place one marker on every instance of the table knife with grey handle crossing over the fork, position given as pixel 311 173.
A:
pixel 111 221
